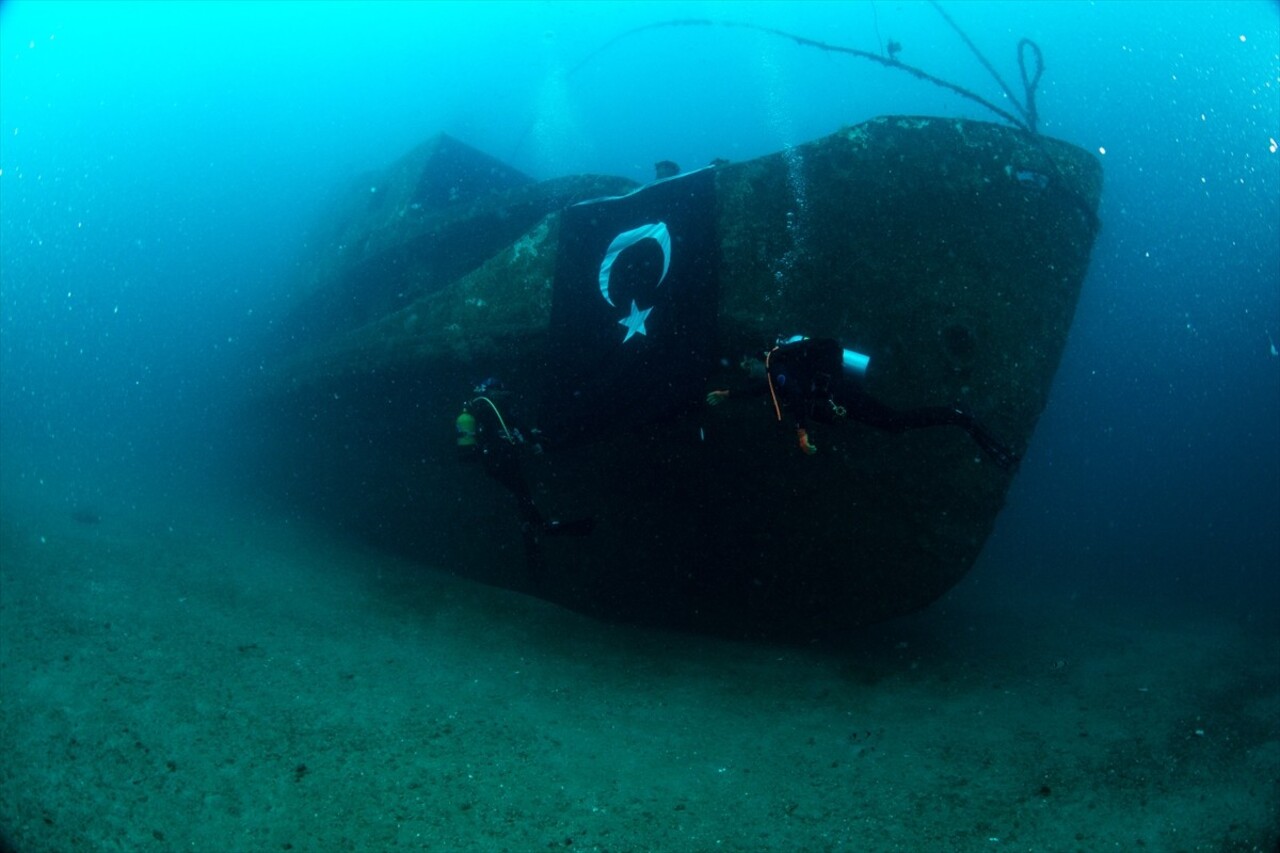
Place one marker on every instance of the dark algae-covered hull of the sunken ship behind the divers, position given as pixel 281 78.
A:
pixel 949 252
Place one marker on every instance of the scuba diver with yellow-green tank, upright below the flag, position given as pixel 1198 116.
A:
pixel 484 436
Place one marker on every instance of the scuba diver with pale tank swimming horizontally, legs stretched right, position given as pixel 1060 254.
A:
pixel 804 376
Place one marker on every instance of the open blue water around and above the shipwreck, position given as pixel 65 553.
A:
pixel 161 167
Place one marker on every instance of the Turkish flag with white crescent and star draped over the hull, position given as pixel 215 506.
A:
pixel 634 307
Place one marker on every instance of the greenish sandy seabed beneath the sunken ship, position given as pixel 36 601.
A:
pixel 212 682
